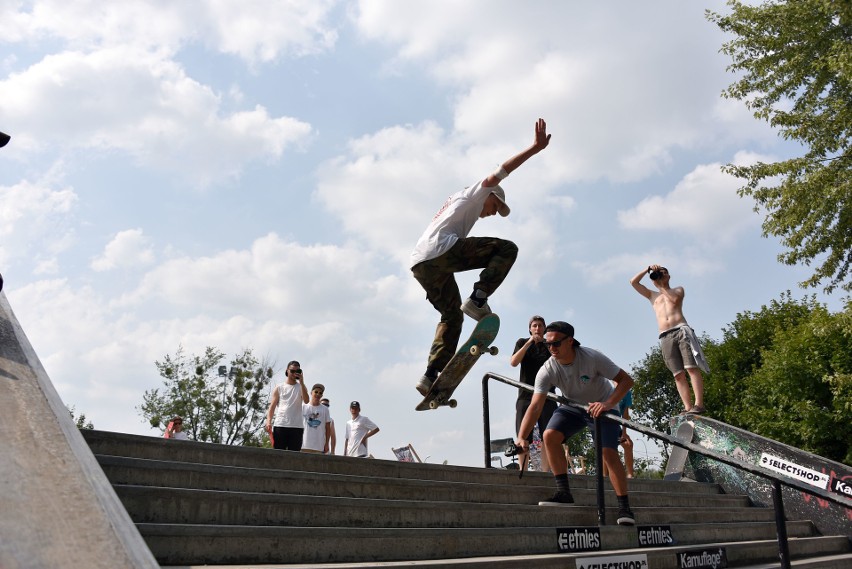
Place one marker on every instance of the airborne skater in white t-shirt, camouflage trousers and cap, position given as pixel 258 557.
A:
pixel 444 249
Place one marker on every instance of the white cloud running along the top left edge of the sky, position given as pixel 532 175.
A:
pixel 258 31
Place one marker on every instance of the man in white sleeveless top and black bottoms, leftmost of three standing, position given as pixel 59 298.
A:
pixel 288 426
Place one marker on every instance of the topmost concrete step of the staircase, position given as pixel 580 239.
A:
pixel 136 446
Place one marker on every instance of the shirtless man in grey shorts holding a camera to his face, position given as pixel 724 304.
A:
pixel 681 350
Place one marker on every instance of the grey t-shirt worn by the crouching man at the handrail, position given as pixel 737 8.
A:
pixel 585 380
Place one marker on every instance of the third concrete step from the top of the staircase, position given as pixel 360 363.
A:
pixel 173 505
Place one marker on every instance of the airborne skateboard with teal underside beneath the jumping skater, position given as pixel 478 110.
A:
pixel 461 363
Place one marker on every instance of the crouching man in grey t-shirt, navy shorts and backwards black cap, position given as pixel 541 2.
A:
pixel 590 378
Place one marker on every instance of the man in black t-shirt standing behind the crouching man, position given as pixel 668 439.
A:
pixel 531 353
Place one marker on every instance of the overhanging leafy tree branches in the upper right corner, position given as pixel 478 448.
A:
pixel 794 60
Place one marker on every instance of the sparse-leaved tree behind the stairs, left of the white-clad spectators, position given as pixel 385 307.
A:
pixel 218 404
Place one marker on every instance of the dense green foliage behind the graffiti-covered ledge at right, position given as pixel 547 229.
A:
pixel 785 372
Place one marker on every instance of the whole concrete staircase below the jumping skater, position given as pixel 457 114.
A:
pixel 197 503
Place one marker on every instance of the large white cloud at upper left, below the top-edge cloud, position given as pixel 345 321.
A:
pixel 146 106
